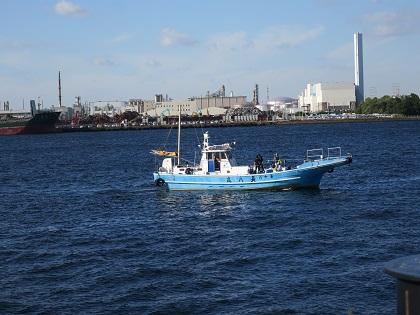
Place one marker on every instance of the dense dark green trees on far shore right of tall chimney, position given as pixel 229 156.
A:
pixel 408 105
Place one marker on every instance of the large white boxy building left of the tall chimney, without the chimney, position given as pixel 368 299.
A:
pixel 322 97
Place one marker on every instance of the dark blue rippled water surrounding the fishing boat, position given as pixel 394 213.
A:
pixel 83 230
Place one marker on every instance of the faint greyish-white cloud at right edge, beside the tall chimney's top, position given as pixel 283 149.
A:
pixel 392 24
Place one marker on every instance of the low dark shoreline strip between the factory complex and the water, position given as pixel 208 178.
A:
pixel 67 128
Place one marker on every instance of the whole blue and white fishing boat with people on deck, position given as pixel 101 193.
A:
pixel 217 169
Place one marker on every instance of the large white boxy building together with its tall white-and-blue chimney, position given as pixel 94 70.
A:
pixel 336 97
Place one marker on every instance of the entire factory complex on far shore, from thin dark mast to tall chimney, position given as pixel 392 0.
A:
pixel 321 97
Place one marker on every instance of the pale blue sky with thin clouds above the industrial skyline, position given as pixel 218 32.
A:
pixel 116 50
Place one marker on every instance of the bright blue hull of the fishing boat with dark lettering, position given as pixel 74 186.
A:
pixel 308 174
